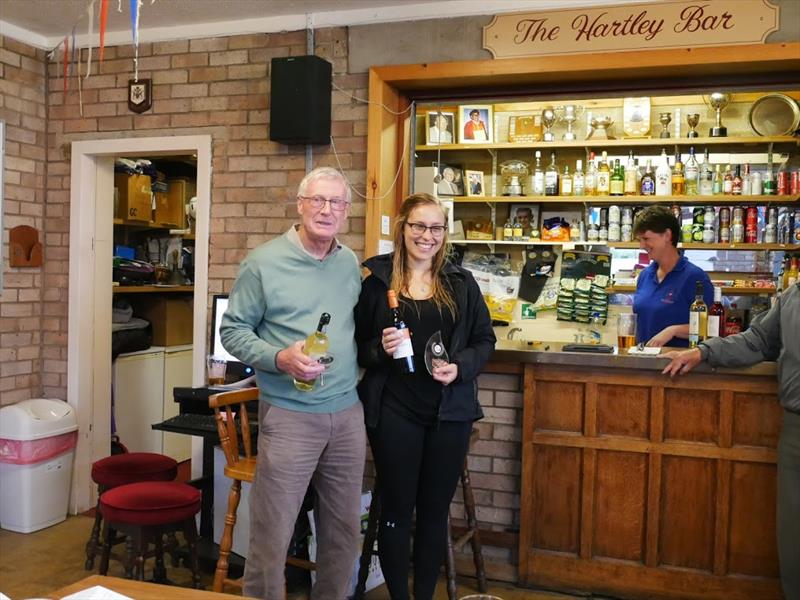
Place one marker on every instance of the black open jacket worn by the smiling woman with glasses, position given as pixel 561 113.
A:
pixel 471 343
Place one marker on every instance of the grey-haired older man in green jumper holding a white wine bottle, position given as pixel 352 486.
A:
pixel 282 289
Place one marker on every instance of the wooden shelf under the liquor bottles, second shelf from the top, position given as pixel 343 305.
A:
pixel 683 200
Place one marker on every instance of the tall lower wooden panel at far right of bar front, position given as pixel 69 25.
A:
pixel 752 521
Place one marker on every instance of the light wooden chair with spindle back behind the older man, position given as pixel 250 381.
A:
pixel 233 425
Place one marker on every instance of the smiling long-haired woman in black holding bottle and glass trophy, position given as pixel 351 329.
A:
pixel 419 424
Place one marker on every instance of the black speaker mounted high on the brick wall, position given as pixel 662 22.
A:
pixel 300 103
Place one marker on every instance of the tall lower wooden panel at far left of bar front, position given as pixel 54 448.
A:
pixel 556 498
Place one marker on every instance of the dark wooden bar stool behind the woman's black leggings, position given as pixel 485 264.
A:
pixel 471 535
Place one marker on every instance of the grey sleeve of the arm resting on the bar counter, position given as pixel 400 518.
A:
pixel 760 342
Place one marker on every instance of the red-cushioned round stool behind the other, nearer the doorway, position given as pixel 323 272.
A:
pixel 121 469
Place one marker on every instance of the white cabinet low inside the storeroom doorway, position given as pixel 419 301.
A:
pixel 143 383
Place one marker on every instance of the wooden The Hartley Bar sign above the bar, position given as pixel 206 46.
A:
pixel 667 24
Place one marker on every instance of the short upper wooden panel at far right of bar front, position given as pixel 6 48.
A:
pixel 756 420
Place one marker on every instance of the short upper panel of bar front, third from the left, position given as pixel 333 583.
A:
pixel 691 415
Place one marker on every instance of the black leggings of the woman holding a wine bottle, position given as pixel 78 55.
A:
pixel 418 466
